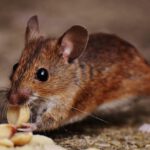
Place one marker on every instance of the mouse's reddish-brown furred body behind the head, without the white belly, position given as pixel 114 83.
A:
pixel 111 68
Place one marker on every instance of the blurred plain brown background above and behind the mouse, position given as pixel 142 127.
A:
pixel 128 19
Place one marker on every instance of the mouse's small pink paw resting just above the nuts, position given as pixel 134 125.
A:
pixel 28 127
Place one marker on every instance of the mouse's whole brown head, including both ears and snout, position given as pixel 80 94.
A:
pixel 47 66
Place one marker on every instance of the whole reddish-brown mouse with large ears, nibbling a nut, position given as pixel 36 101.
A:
pixel 62 78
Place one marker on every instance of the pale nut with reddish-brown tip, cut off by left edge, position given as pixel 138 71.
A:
pixel 6 130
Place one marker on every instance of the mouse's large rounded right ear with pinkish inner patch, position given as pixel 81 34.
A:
pixel 73 42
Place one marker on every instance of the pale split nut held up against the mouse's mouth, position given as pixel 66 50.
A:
pixel 18 115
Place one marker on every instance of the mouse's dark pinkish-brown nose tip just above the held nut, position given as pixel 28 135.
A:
pixel 19 97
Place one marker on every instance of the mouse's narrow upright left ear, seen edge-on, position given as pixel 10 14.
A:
pixel 32 29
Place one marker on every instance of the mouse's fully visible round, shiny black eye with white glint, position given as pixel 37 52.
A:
pixel 42 74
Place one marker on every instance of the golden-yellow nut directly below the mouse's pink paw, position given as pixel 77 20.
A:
pixel 21 138
